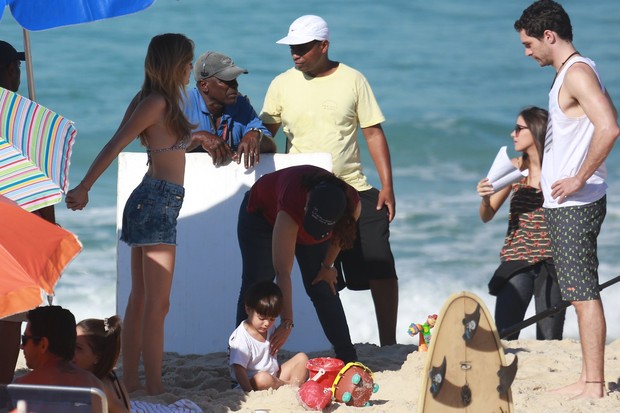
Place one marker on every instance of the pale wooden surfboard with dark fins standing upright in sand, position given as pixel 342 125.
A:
pixel 466 368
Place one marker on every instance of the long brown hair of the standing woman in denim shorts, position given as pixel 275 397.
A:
pixel 165 66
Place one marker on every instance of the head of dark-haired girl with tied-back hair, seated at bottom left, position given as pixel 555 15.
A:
pixel 98 345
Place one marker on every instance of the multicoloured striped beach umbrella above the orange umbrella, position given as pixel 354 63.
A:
pixel 35 148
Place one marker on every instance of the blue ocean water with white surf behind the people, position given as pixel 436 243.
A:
pixel 450 77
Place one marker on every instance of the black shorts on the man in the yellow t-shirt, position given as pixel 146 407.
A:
pixel 371 256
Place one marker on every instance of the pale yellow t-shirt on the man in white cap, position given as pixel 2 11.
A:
pixel 324 114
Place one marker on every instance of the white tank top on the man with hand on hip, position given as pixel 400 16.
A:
pixel 566 147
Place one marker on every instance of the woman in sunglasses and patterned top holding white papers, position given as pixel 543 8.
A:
pixel 526 269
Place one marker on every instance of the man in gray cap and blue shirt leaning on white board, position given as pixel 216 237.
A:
pixel 228 127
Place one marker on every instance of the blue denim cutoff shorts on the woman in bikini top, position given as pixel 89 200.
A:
pixel 151 212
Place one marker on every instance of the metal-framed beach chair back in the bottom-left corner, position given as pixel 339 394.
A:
pixel 53 399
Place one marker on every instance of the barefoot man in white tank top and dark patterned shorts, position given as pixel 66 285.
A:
pixel 582 130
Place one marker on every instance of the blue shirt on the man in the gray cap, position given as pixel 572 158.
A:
pixel 237 119
